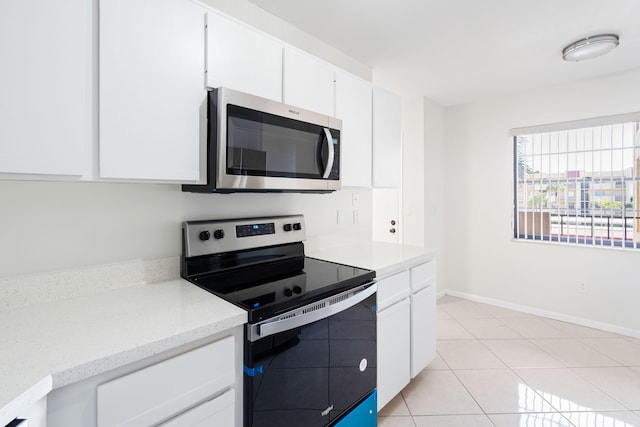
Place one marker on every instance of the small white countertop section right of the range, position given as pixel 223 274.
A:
pixel 385 258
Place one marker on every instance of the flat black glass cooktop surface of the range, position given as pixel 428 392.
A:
pixel 269 289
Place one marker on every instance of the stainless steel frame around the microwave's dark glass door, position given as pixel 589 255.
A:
pixel 224 181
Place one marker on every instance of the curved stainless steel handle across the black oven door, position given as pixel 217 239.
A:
pixel 312 313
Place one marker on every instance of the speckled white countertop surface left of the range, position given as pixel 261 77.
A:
pixel 52 344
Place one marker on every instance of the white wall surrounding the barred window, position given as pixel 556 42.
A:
pixel 482 257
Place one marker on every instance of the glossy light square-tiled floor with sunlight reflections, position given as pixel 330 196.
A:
pixel 499 367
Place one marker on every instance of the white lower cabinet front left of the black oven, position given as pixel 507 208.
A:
pixel 198 386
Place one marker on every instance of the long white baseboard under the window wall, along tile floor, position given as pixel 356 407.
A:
pixel 545 313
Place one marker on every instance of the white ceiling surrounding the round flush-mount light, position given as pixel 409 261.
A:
pixel 460 51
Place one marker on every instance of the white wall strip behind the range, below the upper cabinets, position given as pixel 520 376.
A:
pixel 48 226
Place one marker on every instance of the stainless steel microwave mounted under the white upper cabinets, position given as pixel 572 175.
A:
pixel 259 145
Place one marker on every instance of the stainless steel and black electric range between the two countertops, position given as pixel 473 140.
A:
pixel 310 343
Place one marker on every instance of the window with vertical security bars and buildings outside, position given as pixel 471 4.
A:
pixel 578 183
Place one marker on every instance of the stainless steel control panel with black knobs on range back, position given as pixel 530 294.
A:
pixel 193 246
